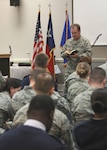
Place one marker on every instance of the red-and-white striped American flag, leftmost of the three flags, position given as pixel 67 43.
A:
pixel 38 41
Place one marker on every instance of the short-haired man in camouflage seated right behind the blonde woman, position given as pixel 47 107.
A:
pixel 81 109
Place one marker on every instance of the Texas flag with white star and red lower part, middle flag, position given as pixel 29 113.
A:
pixel 50 45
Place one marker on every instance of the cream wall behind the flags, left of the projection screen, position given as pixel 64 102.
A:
pixel 17 25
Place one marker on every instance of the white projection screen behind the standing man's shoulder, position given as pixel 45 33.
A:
pixel 91 15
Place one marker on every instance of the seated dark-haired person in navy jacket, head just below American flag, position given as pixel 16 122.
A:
pixel 41 61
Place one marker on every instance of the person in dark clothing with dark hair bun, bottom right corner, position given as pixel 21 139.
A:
pixel 92 134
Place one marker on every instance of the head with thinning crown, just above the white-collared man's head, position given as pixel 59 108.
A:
pixel 44 82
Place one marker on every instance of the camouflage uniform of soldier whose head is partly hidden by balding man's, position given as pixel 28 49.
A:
pixel 24 96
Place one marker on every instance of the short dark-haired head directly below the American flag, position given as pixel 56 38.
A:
pixel 41 60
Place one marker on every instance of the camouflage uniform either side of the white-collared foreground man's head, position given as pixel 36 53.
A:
pixel 61 126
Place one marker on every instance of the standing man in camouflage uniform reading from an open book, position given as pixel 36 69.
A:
pixel 74 48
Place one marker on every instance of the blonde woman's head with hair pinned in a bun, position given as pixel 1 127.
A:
pixel 83 69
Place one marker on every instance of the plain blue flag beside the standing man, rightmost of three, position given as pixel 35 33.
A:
pixel 66 32
